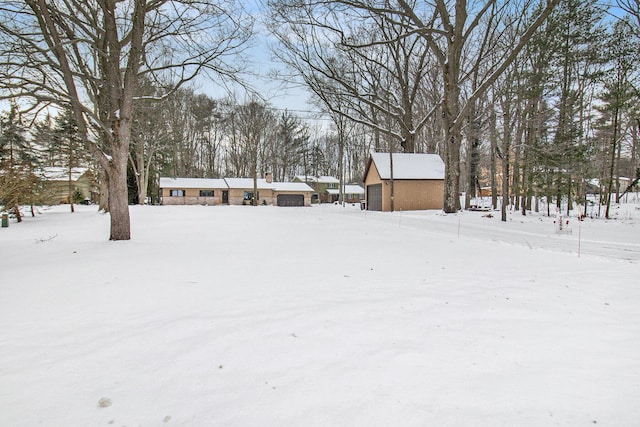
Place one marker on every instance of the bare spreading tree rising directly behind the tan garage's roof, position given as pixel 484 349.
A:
pixel 337 52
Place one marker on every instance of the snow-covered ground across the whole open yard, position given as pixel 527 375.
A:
pixel 322 316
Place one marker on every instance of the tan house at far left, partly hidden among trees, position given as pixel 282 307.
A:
pixel 56 181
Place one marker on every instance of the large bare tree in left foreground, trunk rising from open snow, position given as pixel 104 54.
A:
pixel 89 57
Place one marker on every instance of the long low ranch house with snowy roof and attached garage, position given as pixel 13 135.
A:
pixel 233 191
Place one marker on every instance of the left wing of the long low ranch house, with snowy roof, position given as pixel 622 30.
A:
pixel 193 191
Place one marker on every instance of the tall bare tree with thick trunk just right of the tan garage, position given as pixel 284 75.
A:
pixel 449 29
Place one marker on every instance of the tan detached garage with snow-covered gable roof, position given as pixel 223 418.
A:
pixel 418 182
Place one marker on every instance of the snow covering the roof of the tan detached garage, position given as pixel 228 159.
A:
pixel 409 166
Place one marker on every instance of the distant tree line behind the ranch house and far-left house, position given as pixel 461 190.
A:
pixel 186 134
